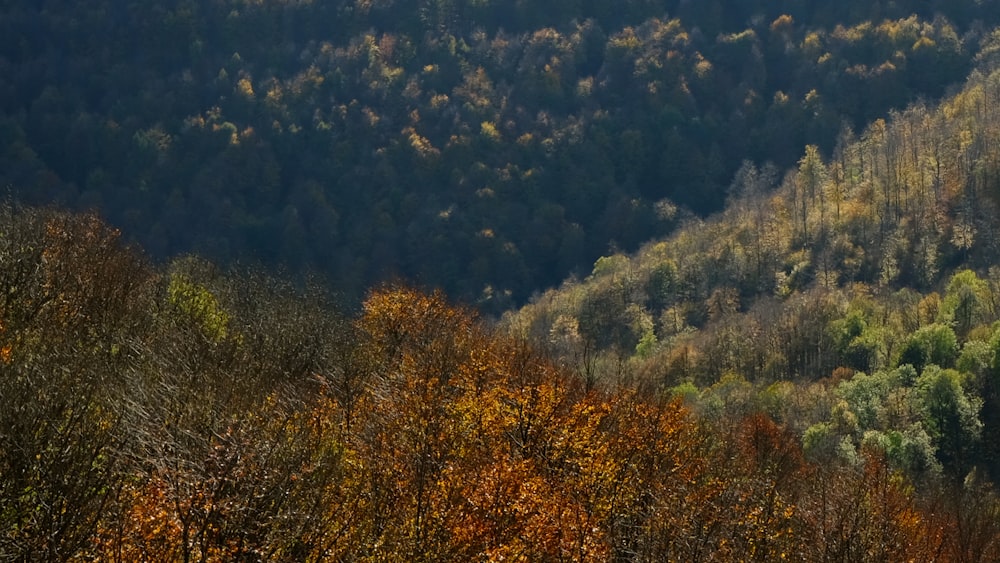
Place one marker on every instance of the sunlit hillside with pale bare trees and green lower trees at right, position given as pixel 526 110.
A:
pixel 863 282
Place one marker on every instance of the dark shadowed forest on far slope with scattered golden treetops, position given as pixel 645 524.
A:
pixel 489 148
